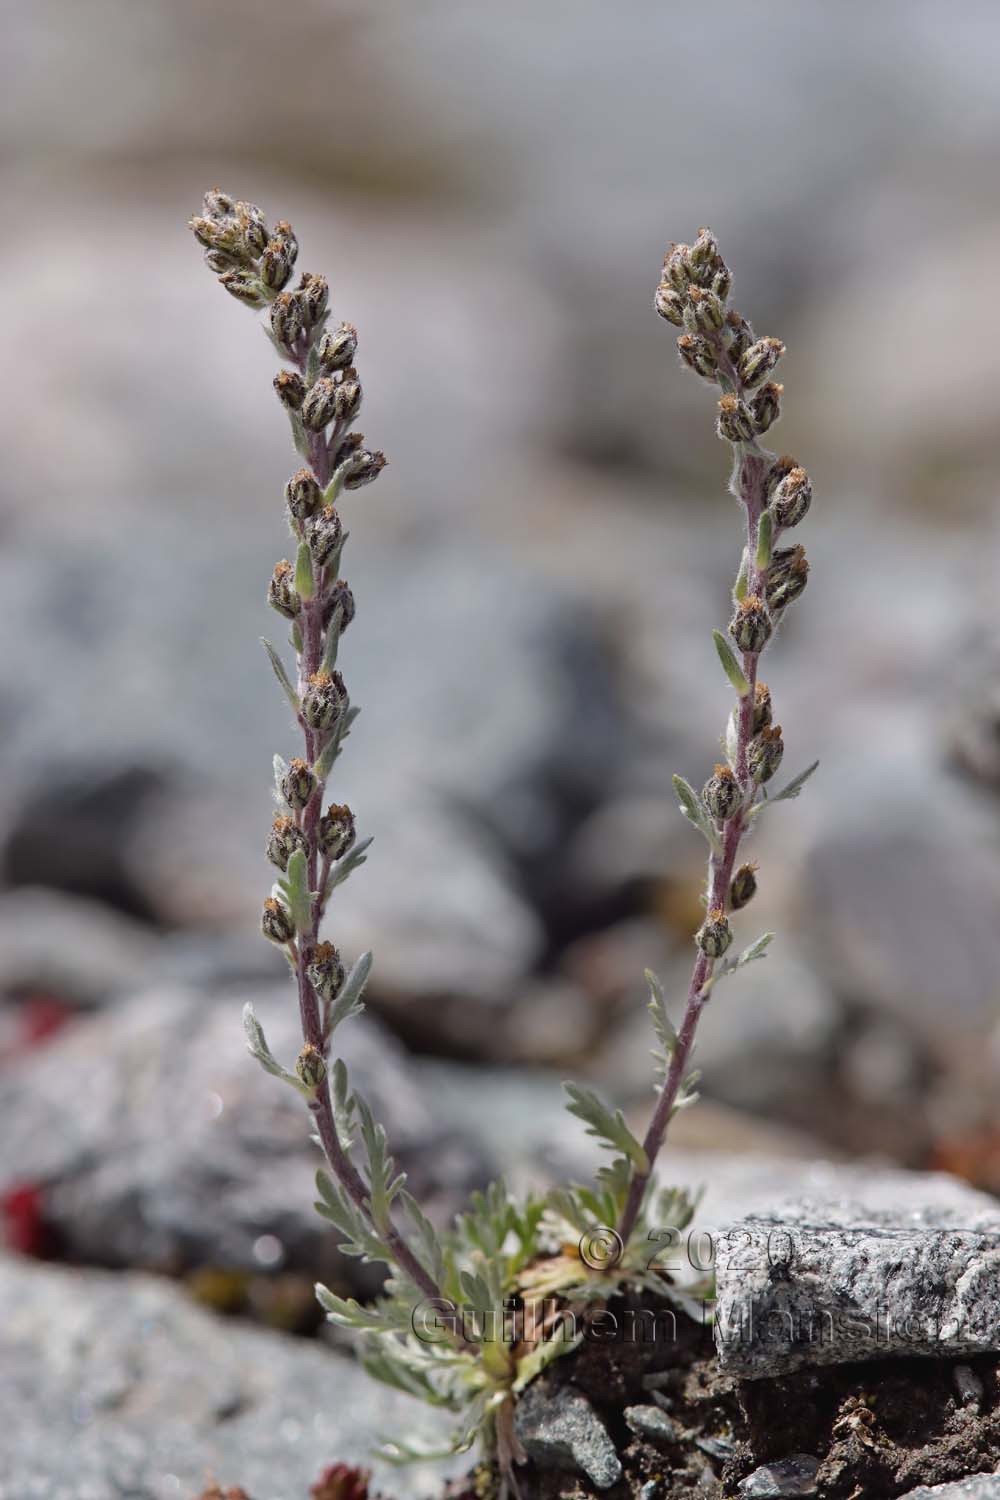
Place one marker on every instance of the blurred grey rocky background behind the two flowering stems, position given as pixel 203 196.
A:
pixel 537 574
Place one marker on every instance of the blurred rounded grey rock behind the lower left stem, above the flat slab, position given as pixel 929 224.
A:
pixel 173 1148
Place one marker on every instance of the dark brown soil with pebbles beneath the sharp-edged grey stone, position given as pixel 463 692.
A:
pixel 879 1429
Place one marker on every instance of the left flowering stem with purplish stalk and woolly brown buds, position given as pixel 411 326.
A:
pixel 323 397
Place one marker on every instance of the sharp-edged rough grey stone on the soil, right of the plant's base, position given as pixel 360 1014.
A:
pixel 821 1283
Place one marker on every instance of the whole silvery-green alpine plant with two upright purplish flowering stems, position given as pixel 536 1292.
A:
pixel 469 1318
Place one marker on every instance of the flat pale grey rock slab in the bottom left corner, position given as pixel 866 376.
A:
pixel 116 1385
